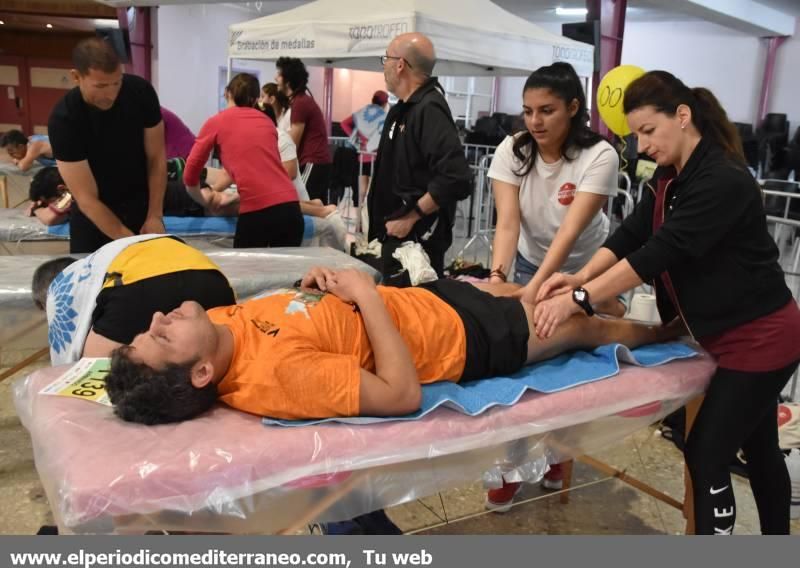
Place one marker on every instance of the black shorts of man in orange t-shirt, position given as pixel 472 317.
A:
pixel 496 328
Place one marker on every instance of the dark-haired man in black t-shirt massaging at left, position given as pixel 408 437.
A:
pixel 108 141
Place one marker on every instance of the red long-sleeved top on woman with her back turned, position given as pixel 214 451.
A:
pixel 248 144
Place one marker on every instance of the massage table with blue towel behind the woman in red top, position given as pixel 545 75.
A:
pixel 22 234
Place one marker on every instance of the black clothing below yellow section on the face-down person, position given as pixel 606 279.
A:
pixel 123 312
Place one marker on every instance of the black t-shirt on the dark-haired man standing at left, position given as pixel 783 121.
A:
pixel 111 140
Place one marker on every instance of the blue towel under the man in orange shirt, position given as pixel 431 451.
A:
pixel 563 372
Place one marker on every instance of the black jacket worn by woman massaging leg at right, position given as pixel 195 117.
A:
pixel 713 243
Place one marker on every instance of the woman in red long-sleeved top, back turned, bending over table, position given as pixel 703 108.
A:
pixel 269 213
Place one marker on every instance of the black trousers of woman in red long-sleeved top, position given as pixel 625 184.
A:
pixel 281 225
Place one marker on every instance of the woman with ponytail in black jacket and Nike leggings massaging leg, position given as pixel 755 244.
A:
pixel 700 237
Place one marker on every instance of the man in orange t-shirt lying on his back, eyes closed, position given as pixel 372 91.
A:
pixel 339 346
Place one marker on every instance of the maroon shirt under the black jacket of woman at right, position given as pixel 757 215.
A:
pixel 764 344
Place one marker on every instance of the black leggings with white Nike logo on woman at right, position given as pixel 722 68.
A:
pixel 739 411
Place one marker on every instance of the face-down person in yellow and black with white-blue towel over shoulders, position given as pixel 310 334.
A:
pixel 141 275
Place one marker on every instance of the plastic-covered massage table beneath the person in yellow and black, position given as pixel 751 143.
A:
pixel 23 328
